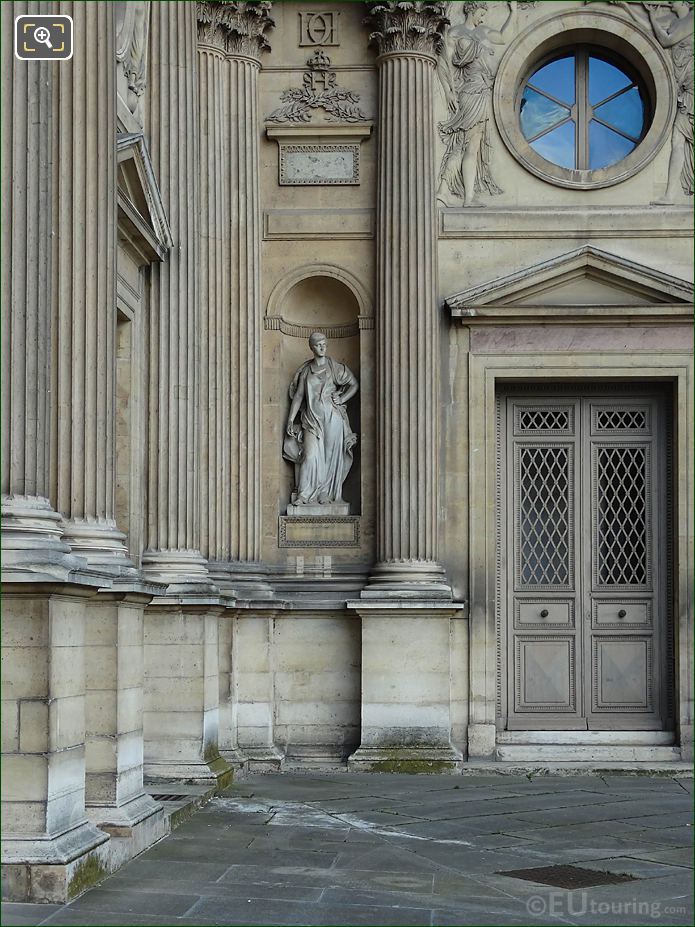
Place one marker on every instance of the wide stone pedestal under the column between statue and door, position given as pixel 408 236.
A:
pixel 406 689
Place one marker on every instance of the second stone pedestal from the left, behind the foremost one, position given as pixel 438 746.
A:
pixel 116 800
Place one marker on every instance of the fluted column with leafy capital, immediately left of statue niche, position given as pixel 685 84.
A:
pixel 231 37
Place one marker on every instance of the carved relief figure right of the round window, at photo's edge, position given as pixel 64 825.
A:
pixel 676 35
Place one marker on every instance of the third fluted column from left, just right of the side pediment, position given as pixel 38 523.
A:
pixel 172 551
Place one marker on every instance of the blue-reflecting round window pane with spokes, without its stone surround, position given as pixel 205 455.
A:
pixel 582 111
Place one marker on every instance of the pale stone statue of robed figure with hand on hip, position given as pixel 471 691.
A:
pixel 321 447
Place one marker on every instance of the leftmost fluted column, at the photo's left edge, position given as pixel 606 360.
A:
pixel 31 530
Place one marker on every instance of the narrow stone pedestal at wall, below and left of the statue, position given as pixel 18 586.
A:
pixel 253 689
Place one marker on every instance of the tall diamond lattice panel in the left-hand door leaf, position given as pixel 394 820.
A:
pixel 544 506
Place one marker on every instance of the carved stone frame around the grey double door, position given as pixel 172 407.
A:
pixel 486 373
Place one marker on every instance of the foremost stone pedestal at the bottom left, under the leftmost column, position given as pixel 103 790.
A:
pixel 50 851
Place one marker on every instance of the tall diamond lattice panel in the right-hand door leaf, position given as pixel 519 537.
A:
pixel 622 516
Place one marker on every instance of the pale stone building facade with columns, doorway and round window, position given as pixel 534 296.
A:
pixel 198 190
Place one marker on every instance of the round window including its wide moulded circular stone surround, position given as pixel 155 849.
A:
pixel 584 98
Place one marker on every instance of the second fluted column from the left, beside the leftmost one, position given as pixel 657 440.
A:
pixel 84 263
